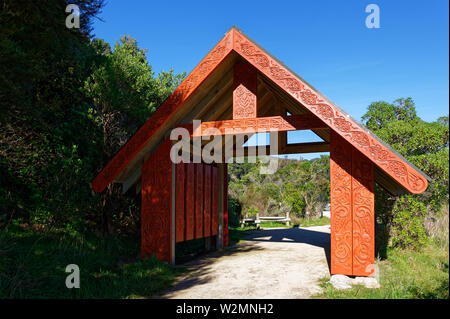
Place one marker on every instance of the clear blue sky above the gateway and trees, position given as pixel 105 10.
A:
pixel 325 42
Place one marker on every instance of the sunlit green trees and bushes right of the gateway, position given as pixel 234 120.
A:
pixel 425 144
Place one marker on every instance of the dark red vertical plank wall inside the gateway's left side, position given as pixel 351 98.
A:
pixel 196 211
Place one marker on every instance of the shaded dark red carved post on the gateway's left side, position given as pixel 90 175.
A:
pixel 156 205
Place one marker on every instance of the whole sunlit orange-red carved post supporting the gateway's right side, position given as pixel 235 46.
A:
pixel 352 210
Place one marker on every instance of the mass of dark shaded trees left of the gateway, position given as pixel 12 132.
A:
pixel 68 104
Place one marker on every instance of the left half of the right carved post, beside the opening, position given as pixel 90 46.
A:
pixel 341 205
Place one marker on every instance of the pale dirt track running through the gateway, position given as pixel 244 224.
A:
pixel 271 263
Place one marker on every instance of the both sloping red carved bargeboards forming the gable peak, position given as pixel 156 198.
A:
pixel 393 171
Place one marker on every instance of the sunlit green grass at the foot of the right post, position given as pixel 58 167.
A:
pixel 405 274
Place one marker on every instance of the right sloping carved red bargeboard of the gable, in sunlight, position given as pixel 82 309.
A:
pixel 330 114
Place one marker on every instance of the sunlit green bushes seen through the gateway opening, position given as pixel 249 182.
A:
pixel 298 187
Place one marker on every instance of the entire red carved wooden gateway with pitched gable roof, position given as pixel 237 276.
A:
pixel 239 88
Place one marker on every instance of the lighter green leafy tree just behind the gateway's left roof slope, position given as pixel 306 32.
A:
pixel 123 91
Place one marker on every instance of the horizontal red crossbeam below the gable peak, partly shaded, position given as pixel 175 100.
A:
pixel 260 125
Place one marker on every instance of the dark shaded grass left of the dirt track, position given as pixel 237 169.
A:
pixel 32 265
